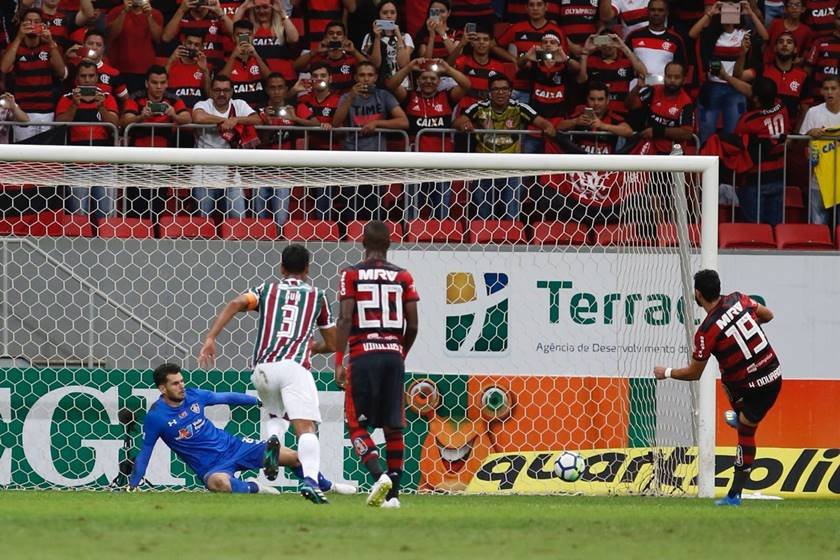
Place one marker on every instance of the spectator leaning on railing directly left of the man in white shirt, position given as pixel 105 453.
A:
pixel 154 105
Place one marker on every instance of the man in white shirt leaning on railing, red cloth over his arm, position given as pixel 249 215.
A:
pixel 228 115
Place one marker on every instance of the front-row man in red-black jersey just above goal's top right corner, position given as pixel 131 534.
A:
pixel 663 114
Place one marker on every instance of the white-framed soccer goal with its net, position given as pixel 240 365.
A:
pixel 550 286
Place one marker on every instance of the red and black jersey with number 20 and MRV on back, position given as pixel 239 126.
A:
pixel 380 290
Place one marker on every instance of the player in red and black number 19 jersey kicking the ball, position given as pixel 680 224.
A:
pixel 749 368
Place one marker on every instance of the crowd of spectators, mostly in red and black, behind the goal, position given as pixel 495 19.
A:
pixel 584 76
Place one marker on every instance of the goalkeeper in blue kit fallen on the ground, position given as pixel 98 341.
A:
pixel 178 418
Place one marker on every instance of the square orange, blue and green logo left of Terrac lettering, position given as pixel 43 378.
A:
pixel 477 317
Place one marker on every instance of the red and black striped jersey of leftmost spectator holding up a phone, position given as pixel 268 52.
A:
pixel 34 79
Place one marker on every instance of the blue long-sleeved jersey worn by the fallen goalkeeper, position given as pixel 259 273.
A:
pixel 188 432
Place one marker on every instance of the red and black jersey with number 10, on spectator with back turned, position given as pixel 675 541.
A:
pixel 768 153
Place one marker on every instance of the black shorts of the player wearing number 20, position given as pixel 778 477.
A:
pixel 376 392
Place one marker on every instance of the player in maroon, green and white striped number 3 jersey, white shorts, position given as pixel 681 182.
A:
pixel 289 311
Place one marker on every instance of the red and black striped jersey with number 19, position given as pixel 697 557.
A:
pixel 731 333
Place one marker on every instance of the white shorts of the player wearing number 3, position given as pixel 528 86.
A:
pixel 288 388
